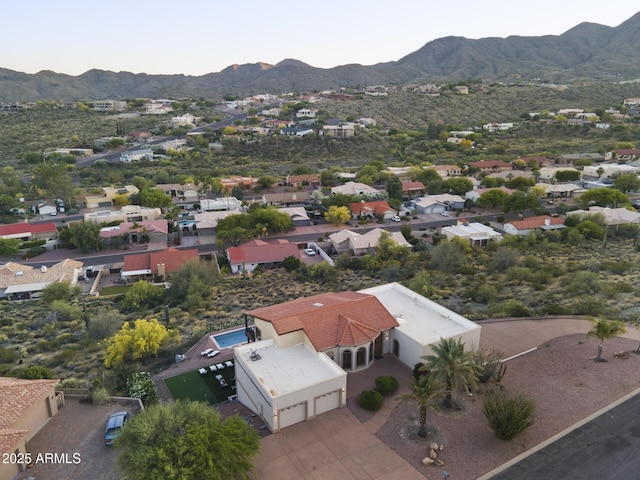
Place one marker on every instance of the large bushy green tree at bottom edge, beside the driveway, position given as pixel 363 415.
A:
pixel 183 440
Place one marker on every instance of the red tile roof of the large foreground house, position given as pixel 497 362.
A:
pixel 330 319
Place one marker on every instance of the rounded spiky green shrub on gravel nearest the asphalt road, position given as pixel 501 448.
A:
pixel 508 416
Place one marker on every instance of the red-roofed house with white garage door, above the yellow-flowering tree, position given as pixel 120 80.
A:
pixel 156 266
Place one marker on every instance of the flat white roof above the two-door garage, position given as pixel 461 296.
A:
pixel 287 370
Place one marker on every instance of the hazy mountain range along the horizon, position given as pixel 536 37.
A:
pixel 586 52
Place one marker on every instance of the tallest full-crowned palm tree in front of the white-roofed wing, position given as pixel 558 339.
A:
pixel 451 365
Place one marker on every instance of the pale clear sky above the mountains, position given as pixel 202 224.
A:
pixel 195 37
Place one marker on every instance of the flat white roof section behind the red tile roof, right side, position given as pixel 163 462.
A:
pixel 420 318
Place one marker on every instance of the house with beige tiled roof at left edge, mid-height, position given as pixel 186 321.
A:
pixel 22 282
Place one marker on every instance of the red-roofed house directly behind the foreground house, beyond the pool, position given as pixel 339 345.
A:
pixel 246 257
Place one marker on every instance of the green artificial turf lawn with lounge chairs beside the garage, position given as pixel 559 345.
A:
pixel 204 388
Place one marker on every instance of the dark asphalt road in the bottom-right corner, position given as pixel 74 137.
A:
pixel 604 448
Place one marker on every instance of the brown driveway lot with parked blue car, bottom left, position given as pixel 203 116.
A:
pixel 78 428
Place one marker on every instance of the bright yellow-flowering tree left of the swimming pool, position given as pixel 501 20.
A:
pixel 145 338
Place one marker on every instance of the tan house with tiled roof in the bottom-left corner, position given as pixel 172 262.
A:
pixel 26 406
